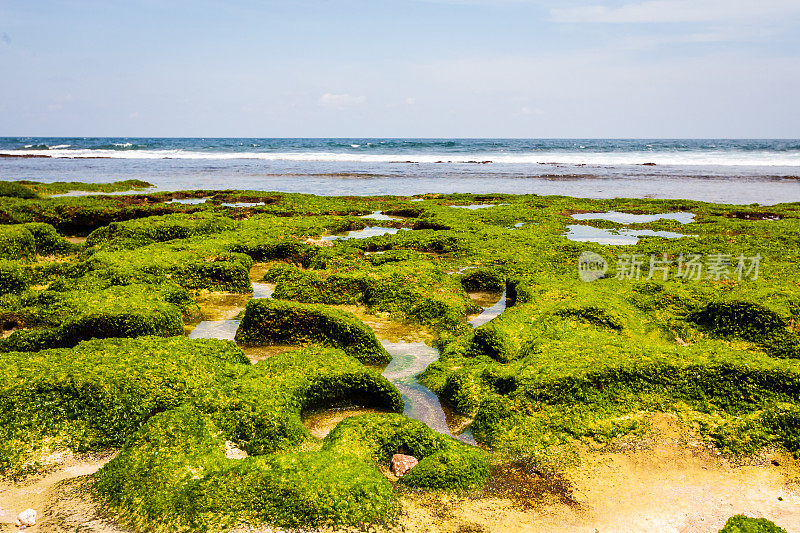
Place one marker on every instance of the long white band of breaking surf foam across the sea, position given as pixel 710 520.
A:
pixel 699 158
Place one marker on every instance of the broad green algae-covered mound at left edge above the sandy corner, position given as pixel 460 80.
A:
pixel 95 395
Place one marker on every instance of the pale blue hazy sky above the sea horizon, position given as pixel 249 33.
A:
pixel 401 68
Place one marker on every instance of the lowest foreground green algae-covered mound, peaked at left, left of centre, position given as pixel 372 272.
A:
pixel 172 475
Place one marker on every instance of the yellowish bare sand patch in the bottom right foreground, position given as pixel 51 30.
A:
pixel 670 481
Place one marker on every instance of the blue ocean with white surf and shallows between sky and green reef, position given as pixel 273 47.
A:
pixel 738 171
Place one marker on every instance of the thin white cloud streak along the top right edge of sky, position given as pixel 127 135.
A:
pixel 667 11
